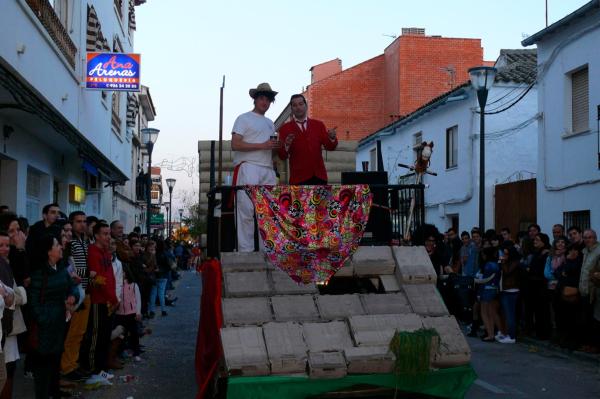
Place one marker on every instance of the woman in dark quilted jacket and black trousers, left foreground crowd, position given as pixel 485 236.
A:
pixel 52 295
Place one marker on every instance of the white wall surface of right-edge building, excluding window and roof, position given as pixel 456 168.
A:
pixel 568 174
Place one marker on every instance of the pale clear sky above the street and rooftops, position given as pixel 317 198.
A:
pixel 187 47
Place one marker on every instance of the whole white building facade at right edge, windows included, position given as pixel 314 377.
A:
pixel 568 176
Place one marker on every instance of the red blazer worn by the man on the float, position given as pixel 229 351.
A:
pixel 305 155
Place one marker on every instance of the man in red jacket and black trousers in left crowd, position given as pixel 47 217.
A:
pixel 103 297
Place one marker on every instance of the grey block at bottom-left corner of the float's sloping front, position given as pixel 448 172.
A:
pixel 244 350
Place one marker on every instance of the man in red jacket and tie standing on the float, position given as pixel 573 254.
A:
pixel 301 140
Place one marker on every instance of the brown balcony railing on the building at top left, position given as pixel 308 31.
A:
pixel 47 16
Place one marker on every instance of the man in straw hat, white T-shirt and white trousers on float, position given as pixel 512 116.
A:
pixel 253 142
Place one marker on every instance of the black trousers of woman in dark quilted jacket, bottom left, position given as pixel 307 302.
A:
pixel 46 374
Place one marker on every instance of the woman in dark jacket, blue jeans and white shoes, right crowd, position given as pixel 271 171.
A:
pixel 509 262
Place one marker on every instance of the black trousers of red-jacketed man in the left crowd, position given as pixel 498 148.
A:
pixel 95 346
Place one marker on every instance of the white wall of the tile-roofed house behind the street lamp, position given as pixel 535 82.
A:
pixel 455 191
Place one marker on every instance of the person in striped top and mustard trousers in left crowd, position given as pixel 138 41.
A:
pixel 79 320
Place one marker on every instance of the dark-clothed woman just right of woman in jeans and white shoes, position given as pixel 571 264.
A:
pixel 537 303
